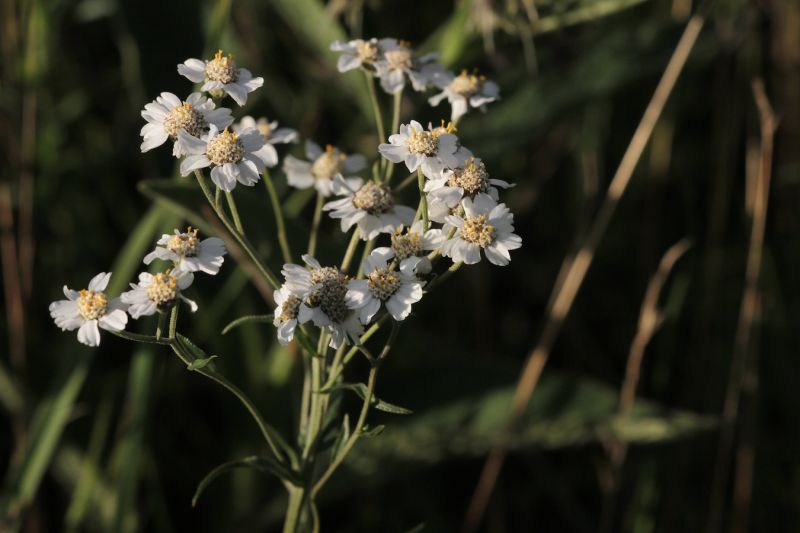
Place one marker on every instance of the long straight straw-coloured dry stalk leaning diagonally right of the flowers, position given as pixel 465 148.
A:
pixel 574 270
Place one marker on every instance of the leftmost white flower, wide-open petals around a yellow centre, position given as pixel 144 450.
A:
pixel 87 309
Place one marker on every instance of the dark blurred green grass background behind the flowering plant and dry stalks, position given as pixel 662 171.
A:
pixel 116 439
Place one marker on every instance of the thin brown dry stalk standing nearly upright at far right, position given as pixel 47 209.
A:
pixel 744 349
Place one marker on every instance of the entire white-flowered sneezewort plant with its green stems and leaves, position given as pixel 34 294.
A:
pixel 328 311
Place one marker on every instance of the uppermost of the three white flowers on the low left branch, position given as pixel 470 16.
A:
pixel 188 253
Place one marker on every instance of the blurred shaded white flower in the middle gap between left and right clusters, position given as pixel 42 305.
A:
pixel 321 168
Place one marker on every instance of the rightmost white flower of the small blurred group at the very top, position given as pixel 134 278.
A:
pixel 464 91
